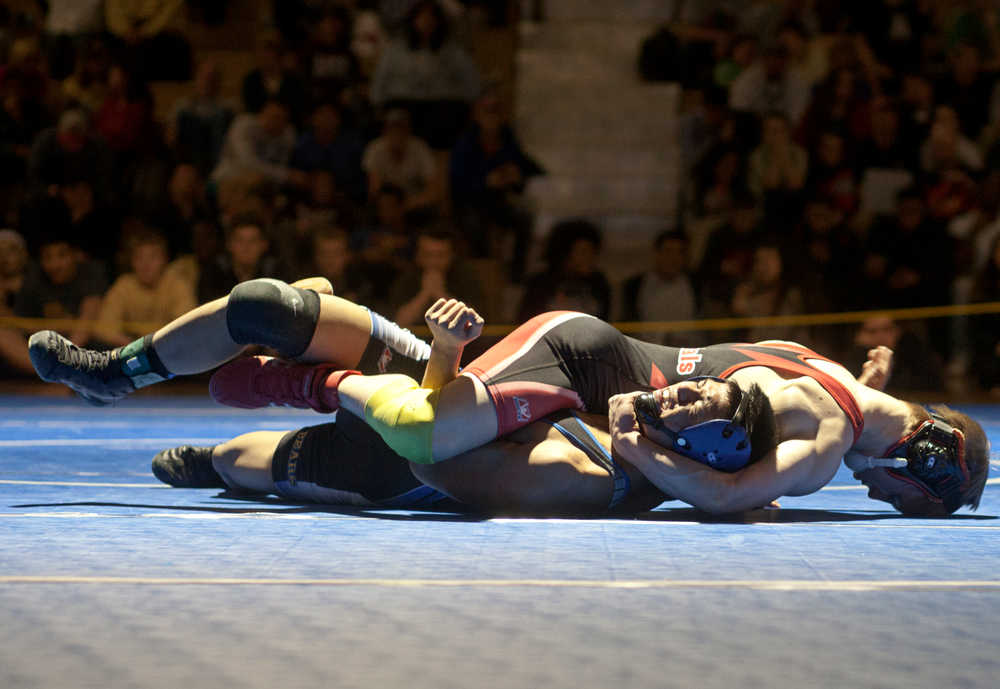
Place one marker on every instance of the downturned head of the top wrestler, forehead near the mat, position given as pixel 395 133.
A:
pixel 960 482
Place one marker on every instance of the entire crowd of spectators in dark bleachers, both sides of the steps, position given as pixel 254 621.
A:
pixel 838 157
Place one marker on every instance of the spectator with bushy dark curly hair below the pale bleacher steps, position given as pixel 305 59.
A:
pixel 571 280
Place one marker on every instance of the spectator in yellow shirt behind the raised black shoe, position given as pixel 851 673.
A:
pixel 145 296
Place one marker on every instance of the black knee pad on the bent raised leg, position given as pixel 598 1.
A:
pixel 274 314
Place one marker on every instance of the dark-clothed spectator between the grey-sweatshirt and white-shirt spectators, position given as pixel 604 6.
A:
pixel 329 145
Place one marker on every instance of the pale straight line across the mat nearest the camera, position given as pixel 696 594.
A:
pixel 776 585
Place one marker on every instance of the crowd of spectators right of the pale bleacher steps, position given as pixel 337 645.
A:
pixel 841 156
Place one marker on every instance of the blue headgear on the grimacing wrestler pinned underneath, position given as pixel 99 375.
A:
pixel 722 444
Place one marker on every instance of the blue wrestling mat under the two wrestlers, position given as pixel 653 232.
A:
pixel 109 579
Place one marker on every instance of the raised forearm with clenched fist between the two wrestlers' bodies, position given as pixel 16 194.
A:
pixel 453 325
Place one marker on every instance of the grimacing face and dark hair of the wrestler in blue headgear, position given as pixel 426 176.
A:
pixel 689 403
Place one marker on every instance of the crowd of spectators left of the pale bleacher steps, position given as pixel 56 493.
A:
pixel 364 145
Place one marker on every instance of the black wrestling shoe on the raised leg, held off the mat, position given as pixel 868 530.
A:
pixel 95 376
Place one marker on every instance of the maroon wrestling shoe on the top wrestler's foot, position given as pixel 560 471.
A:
pixel 259 381
